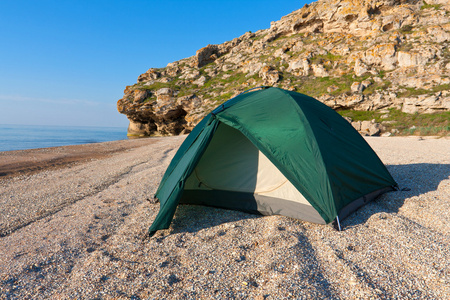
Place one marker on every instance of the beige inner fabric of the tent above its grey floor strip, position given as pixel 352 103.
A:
pixel 232 163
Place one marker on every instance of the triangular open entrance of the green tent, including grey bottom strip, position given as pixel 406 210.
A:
pixel 234 174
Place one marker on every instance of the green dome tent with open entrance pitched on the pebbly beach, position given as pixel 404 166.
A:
pixel 273 152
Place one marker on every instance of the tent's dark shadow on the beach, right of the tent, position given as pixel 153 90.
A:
pixel 416 179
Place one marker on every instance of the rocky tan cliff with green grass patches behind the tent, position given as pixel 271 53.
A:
pixel 349 54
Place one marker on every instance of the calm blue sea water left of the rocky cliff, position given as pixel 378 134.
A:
pixel 21 137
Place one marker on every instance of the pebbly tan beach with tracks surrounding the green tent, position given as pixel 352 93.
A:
pixel 73 223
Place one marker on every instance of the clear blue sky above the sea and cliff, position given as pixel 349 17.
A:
pixel 67 62
